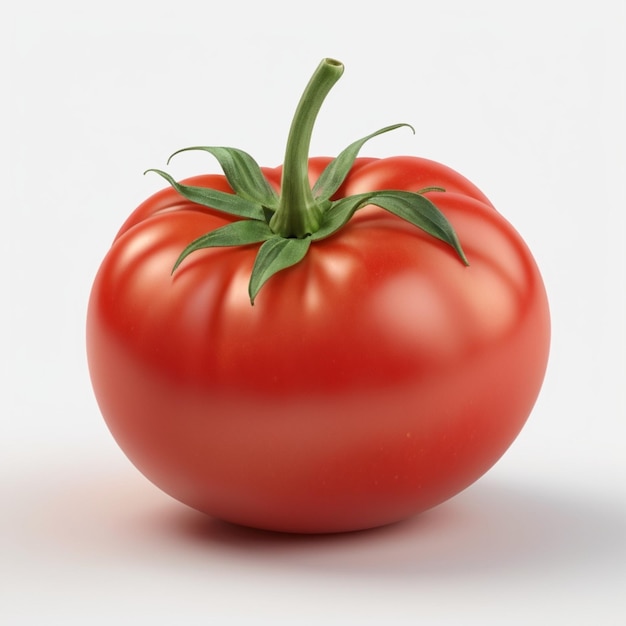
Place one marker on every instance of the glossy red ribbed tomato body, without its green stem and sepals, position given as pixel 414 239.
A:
pixel 370 382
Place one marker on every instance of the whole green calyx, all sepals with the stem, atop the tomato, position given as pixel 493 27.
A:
pixel 287 223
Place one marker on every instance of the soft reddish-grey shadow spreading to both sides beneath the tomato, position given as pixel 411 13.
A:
pixel 490 529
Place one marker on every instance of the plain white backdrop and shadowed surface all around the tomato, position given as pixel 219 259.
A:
pixel 525 99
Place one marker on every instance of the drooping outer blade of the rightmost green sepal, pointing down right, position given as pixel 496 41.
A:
pixel 421 212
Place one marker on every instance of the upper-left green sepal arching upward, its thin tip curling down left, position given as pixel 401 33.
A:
pixel 243 174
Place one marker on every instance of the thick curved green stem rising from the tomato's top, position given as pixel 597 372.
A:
pixel 298 215
